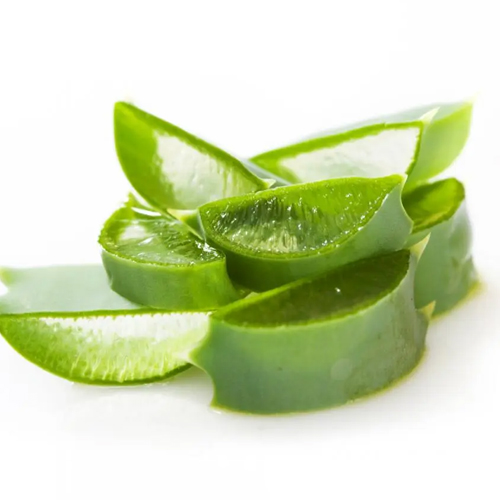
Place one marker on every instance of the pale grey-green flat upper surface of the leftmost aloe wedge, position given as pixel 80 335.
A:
pixel 59 289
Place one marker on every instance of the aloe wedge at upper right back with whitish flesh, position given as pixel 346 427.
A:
pixel 420 142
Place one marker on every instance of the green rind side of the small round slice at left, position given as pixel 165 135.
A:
pixel 171 288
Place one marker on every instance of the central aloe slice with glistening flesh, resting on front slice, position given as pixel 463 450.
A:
pixel 278 236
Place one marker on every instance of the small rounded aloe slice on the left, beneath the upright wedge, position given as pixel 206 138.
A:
pixel 156 260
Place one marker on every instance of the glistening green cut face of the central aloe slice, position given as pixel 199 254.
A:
pixel 297 219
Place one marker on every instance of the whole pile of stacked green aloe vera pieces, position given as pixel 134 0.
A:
pixel 300 279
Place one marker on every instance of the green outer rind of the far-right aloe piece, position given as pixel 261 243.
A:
pixel 446 272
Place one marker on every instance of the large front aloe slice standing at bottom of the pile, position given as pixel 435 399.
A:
pixel 318 342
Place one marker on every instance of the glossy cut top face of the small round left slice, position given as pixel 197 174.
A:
pixel 145 236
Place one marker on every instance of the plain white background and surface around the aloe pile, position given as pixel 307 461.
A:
pixel 247 76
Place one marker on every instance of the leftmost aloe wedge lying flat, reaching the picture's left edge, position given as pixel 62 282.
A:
pixel 67 321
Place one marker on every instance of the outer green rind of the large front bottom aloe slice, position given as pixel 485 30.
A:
pixel 319 365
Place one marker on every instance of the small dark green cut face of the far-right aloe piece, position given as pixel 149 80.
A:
pixel 433 203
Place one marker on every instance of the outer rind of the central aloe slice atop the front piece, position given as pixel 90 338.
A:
pixel 388 230
